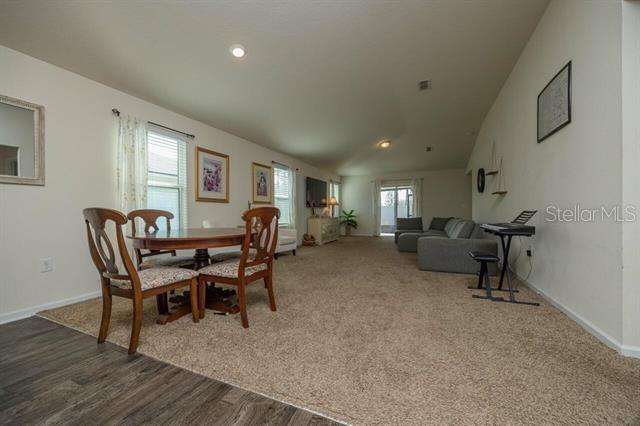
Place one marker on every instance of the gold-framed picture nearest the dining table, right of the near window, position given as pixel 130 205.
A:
pixel 212 176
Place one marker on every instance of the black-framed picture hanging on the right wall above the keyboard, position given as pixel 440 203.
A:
pixel 554 104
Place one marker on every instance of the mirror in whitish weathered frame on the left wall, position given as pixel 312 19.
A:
pixel 21 142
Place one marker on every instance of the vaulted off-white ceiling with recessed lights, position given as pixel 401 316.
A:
pixel 323 81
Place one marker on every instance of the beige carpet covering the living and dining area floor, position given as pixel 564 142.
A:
pixel 364 337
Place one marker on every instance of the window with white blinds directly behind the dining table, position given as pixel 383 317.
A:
pixel 167 175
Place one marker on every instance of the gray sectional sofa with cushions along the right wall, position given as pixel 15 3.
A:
pixel 445 246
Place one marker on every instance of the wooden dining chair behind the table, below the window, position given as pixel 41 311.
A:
pixel 150 218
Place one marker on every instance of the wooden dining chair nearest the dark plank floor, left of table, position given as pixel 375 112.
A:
pixel 129 283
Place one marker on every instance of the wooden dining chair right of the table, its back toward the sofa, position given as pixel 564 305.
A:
pixel 255 262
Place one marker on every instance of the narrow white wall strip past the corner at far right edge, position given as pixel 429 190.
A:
pixel 631 172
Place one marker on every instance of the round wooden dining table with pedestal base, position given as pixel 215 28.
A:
pixel 200 240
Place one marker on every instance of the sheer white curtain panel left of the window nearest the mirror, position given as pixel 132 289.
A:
pixel 132 164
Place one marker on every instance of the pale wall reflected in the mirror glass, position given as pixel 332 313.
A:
pixel 16 130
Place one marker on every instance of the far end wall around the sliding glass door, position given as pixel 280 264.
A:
pixel 444 193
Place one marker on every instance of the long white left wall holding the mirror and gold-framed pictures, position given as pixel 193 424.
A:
pixel 80 143
